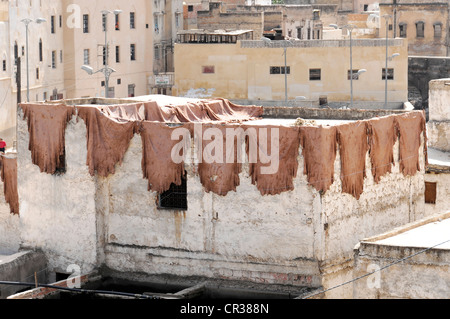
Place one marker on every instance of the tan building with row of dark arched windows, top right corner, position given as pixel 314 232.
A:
pixel 424 24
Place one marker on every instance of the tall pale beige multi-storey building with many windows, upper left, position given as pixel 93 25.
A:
pixel 139 58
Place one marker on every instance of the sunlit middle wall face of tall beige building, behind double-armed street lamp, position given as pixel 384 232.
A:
pixel 129 73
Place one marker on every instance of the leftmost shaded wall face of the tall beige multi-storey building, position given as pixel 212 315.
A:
pixel 44 79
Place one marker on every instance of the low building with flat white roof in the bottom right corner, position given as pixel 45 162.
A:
pixel 409 262
